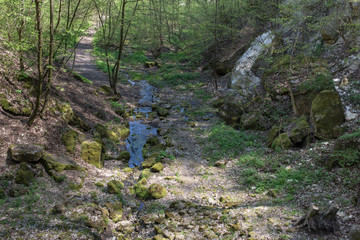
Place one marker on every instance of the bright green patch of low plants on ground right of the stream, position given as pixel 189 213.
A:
pixel 225 142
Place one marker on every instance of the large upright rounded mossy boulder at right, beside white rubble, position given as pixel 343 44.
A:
pixel 326 114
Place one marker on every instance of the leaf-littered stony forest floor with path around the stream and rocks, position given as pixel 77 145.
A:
pixel 220 185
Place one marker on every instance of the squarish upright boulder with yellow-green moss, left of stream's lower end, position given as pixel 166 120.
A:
pixel 93 153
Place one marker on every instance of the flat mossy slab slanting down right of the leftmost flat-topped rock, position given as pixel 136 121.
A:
pixel 58 163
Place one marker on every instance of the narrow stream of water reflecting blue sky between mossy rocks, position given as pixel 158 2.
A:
pixel 140 132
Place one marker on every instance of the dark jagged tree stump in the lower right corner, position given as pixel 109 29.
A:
pixel 315 220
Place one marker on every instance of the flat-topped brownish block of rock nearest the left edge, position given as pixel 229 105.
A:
pixel 26 152
